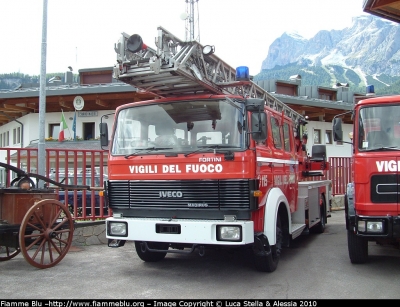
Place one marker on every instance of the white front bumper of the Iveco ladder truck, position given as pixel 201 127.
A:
pixel 180 231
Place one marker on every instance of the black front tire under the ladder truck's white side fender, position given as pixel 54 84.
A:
pixel 269 262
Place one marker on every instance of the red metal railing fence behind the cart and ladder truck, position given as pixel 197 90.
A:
pixel 94 161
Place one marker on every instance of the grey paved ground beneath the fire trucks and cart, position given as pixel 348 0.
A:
pixel 315 267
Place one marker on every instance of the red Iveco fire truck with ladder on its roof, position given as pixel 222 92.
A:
pixel 214 161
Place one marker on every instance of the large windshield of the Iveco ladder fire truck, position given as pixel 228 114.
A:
pixel 179 127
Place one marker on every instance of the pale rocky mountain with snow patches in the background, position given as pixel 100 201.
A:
pixel 368 52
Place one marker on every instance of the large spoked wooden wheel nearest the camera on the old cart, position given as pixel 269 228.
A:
pixel 46 233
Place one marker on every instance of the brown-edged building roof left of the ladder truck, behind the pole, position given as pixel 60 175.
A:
pixel 97 96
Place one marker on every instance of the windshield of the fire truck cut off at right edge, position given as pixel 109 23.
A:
pixel 379 128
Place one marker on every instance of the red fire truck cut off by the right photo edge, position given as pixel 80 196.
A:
pixel 372 198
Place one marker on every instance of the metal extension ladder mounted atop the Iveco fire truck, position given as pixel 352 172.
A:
pixel 181 68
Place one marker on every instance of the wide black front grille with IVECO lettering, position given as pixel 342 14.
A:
pixel 196 194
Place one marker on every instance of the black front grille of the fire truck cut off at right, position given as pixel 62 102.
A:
pixel 384 188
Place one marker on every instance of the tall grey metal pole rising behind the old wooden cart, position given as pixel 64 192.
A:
pixel 42 100
